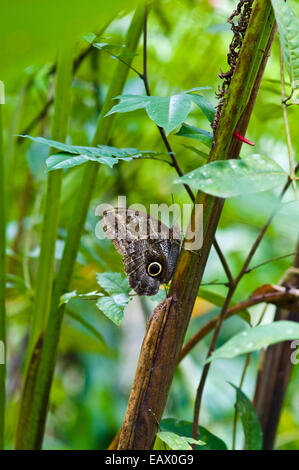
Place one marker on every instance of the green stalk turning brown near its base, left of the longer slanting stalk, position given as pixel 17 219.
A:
pixel 45 274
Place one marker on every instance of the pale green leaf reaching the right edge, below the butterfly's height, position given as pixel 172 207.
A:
pixel 256 338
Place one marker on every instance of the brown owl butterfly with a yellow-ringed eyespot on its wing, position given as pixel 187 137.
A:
pixel 149 248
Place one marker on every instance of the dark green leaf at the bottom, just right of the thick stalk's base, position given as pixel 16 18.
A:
pixel 184 428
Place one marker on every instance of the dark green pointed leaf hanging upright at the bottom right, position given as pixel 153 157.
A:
pixel 250 422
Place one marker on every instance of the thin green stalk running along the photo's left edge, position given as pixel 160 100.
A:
pixel 2 288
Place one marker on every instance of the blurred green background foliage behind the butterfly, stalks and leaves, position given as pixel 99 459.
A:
pixel 187 46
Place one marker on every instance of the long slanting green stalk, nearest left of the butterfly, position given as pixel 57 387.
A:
pixel 33 423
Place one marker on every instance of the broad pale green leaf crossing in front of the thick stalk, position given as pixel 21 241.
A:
pixel 231 178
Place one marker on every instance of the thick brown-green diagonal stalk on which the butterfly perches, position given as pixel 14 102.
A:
pixel 168 324
